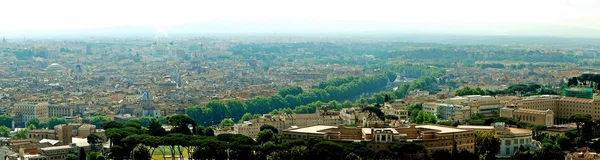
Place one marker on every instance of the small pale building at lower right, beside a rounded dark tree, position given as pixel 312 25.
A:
pixel 512 138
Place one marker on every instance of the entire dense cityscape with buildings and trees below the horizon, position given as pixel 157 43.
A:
pixel 299 97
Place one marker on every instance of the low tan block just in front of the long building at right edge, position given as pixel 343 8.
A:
pixel 539 117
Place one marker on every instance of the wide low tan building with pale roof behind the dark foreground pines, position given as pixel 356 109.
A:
pixel 433 137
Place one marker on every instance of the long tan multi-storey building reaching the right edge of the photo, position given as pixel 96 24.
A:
pixel 562 107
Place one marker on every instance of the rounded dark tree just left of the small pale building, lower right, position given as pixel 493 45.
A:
pixel 487 144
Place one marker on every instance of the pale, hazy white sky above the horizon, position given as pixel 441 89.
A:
pixel 435 16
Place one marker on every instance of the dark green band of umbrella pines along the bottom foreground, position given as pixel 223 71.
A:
pixel 129 140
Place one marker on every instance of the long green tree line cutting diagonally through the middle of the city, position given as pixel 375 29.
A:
pixel 336 89
